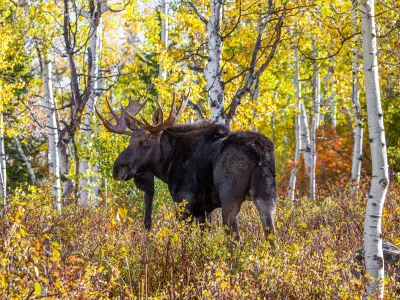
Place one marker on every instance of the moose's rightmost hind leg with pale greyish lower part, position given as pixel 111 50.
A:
pixel 263 194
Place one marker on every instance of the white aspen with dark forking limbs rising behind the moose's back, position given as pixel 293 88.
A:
pixel 253 67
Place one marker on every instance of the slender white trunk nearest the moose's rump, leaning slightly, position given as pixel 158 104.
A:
pixel 293 175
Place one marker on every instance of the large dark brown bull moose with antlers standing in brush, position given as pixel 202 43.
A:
pixel 203 163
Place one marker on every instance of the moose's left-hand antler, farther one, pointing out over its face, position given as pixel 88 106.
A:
pixel 121 127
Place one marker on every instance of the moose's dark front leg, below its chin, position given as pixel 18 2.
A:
pixel 145 182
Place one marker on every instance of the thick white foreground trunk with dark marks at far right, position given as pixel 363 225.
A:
pixel 380 175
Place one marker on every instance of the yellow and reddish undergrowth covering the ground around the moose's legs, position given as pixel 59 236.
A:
pixel 105 252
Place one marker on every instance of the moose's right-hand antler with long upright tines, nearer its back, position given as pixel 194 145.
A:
pixel 162 125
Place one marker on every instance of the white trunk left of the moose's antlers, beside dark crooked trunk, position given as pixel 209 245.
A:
pixel 89 183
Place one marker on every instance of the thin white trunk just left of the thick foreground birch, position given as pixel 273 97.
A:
pixel 358 130
